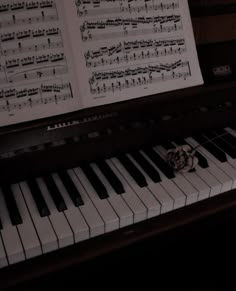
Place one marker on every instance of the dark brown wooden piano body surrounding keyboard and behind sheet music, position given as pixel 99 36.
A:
pixel 42 147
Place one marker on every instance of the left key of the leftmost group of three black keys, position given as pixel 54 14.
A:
pixel 38 198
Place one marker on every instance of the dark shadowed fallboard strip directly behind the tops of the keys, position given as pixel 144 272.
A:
pixel 32 164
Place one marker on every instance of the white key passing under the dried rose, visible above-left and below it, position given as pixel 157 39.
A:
pixel 190 191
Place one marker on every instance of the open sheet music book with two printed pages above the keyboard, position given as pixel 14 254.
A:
pixel 58 56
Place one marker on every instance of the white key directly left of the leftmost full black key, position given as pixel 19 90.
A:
pixel 10 236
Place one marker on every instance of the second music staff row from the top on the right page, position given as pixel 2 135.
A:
pixel 118 27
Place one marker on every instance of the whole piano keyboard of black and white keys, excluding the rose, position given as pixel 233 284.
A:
pixel 54 211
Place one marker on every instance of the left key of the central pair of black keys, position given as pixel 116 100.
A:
pixel 95 181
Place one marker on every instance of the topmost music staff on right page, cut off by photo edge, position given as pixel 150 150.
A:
pixel 95 8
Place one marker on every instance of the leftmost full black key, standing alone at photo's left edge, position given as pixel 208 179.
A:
pixel 11 205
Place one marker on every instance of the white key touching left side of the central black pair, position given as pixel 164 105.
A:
pixel 102 205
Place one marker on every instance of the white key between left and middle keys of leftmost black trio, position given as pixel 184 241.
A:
pixel 58 220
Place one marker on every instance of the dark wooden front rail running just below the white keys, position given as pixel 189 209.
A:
pixel 219 208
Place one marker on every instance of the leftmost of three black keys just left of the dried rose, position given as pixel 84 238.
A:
pixel 133 170
